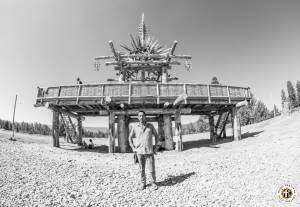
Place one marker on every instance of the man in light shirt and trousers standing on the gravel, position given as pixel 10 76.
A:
pixel 144 148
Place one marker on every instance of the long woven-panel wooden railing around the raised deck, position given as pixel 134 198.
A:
pixel 132 91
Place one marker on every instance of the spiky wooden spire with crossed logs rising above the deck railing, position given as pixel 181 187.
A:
pixel 144 59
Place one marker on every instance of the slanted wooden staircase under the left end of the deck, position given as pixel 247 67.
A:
pixel 70 128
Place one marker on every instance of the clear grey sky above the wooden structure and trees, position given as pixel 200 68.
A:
pixel 249 43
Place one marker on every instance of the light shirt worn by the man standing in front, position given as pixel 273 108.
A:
pixel 144 134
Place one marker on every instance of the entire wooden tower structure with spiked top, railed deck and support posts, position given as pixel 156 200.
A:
pixel 143 83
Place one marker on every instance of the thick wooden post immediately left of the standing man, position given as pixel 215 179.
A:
pixel 123 141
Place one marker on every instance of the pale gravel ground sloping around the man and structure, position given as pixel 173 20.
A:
pixel 244 173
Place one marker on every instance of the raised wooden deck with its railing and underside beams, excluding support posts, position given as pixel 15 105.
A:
pixel 97 99
